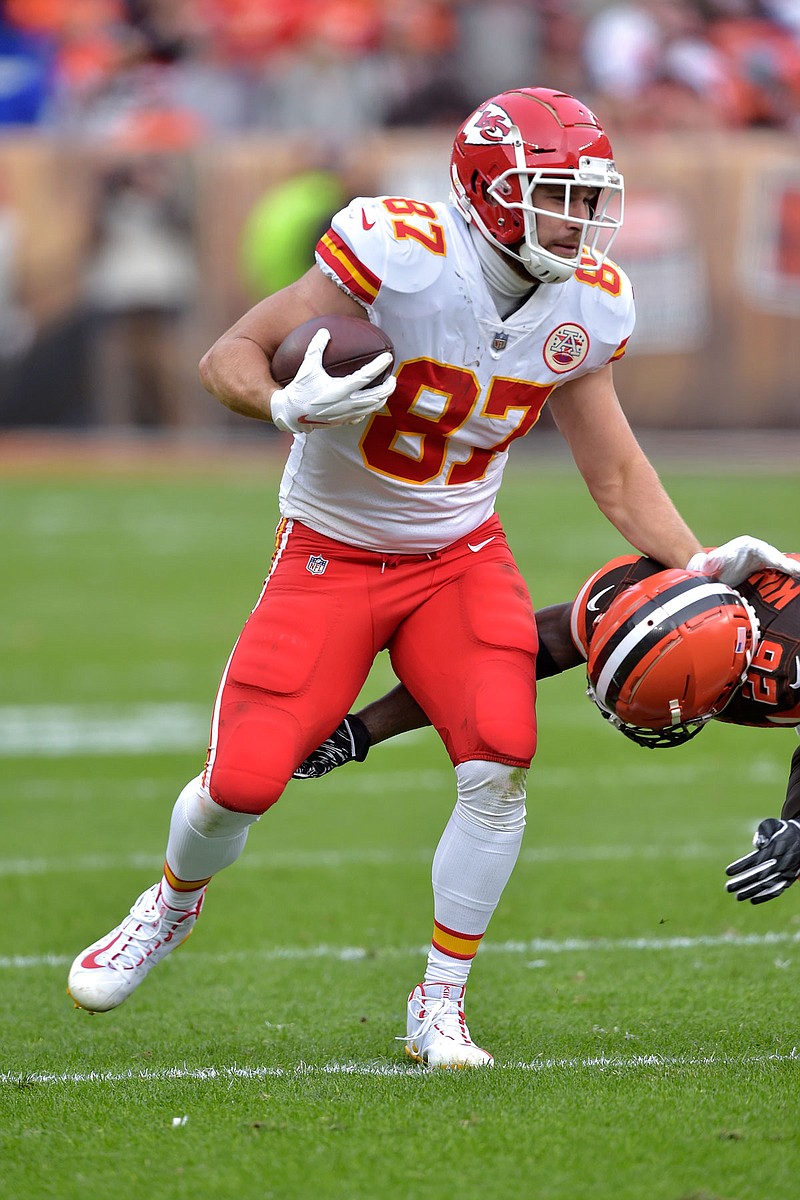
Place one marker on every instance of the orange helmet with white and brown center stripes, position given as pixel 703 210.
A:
pixel 669 655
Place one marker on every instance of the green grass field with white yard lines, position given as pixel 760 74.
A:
pixel 645 1025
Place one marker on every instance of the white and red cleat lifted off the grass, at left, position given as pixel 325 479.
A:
pixel 111 969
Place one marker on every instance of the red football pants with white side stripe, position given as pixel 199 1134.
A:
pixel 459 626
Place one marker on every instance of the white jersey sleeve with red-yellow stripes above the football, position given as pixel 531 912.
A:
pixel 383 243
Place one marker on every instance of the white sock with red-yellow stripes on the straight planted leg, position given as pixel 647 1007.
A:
pixel 473 863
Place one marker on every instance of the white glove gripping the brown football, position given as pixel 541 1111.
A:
pixel 314 399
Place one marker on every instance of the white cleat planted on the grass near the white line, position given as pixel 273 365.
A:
pixel 437 1033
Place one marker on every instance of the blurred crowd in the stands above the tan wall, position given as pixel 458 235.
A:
pixel 173 73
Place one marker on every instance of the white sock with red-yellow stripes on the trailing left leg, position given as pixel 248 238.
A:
pixel 203 839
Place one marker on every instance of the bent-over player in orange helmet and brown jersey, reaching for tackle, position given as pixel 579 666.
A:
pixel 666 653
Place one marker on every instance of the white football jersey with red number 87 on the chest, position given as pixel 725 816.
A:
pixel 426 470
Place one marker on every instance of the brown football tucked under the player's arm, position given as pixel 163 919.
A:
pixel 354 343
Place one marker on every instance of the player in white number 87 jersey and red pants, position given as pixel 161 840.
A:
pixel 496 304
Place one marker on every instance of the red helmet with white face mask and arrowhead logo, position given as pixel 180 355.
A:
pixel 518 141
